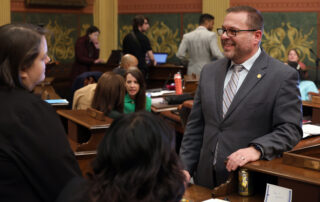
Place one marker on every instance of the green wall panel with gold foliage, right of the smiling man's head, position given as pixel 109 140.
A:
pixel 284 31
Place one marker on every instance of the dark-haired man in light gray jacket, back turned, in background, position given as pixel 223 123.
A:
pixel 200 44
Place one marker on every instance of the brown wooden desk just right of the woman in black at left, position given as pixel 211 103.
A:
pixel 84 132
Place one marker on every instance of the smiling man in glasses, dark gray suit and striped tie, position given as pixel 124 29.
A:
pixel 264 117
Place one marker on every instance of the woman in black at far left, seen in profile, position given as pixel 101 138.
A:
pixel 36 160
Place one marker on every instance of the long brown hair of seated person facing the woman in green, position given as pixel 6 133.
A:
pixel 109 95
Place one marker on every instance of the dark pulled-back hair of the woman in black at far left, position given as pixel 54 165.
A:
pixel 20 46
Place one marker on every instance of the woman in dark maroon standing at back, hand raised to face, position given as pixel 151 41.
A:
pixel 86 52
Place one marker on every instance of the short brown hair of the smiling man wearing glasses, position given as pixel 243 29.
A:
pixel 255 19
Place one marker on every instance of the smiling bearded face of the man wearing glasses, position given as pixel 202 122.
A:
pixel 241 47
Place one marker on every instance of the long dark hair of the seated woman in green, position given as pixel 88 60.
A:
pixel 140 99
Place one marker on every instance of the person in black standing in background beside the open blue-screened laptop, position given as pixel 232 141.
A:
pixel 137 44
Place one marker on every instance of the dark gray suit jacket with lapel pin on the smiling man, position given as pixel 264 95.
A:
pixel 266 110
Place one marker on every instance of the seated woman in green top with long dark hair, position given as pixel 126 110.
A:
pixel 135 98
